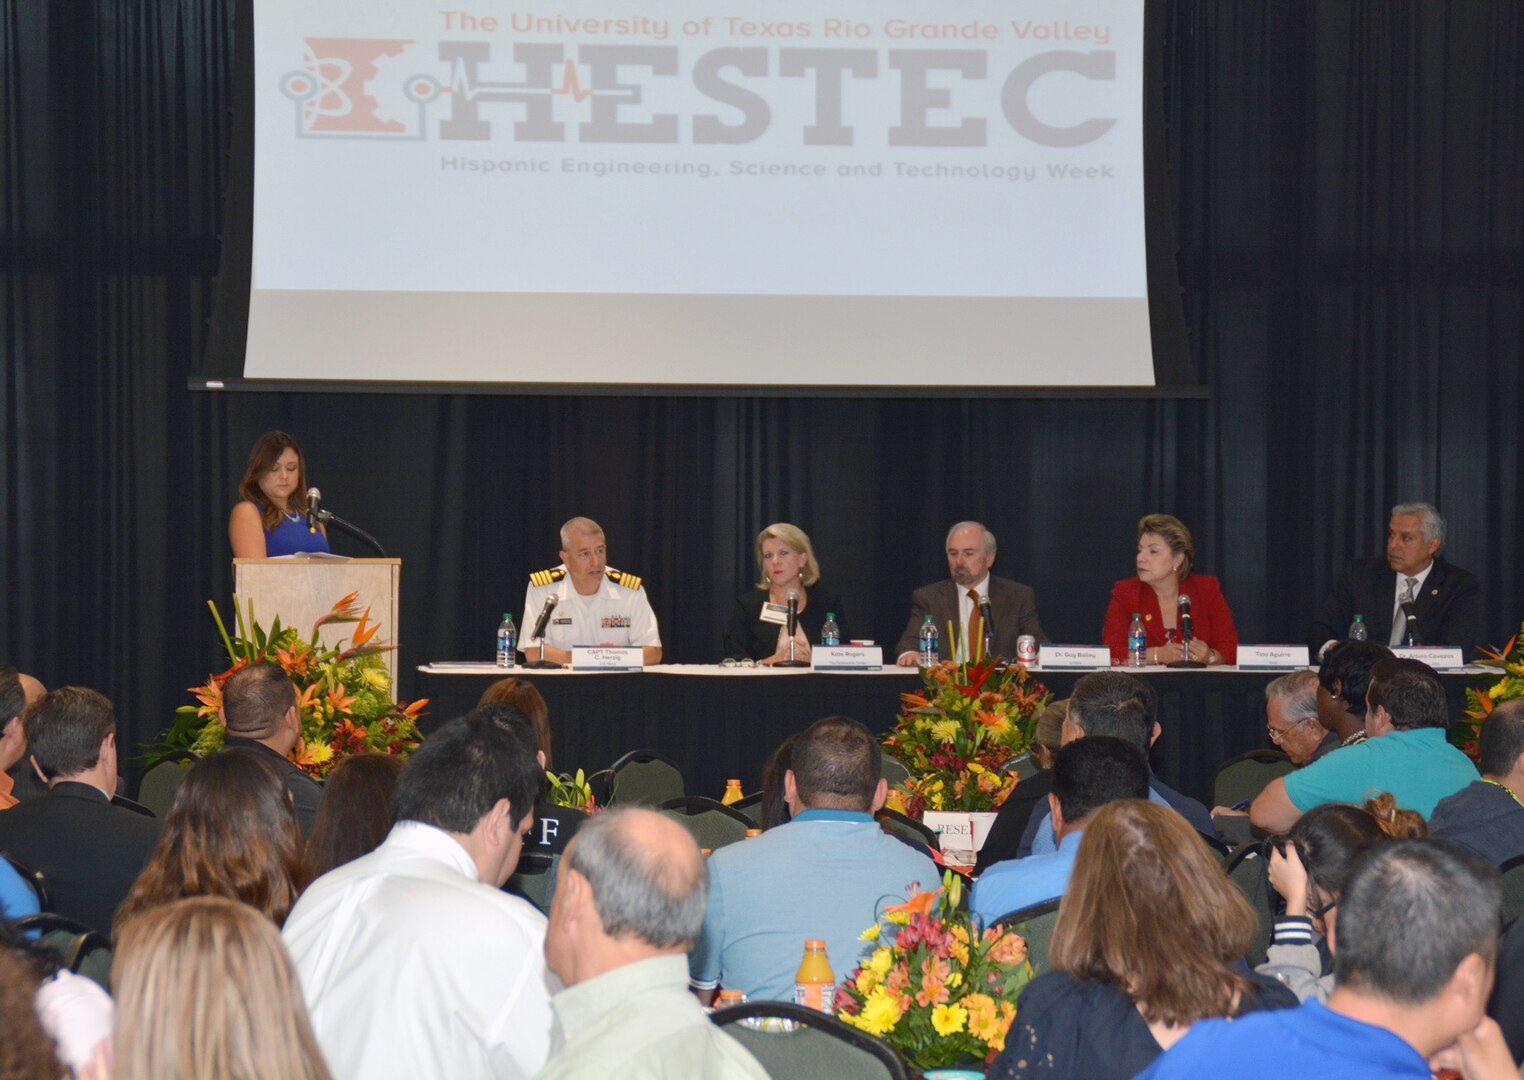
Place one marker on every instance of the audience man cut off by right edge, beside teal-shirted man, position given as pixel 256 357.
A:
pixel 1487 816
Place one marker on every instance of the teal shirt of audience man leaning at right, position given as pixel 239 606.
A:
pixel 1417 767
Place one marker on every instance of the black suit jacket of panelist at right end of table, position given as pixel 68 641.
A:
pixel 1449 606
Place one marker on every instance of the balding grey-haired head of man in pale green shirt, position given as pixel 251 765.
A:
pixel 647 877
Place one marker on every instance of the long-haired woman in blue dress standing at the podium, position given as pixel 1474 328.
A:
pixel 272 517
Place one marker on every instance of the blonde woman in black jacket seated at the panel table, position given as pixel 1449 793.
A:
pixel 758 625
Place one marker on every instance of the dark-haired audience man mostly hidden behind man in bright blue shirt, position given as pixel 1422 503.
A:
pixel 1124 708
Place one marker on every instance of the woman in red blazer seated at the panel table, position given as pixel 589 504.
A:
pixel 1164 575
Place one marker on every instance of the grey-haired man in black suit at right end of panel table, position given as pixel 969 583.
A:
pixel 1446 599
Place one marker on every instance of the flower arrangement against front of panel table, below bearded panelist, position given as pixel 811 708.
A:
pixel 956 733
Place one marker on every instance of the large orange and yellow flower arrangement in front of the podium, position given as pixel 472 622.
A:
pixel 344 692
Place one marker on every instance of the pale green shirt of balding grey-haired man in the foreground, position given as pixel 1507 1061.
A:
pixel 641 1023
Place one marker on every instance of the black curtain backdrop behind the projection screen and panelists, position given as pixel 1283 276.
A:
pixel 1350 197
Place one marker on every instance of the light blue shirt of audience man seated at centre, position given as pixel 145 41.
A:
pixel 825 875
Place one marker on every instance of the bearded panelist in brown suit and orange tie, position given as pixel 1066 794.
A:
pixel 1014 607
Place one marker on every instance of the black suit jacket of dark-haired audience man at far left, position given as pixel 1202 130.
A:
pixel 89 851
